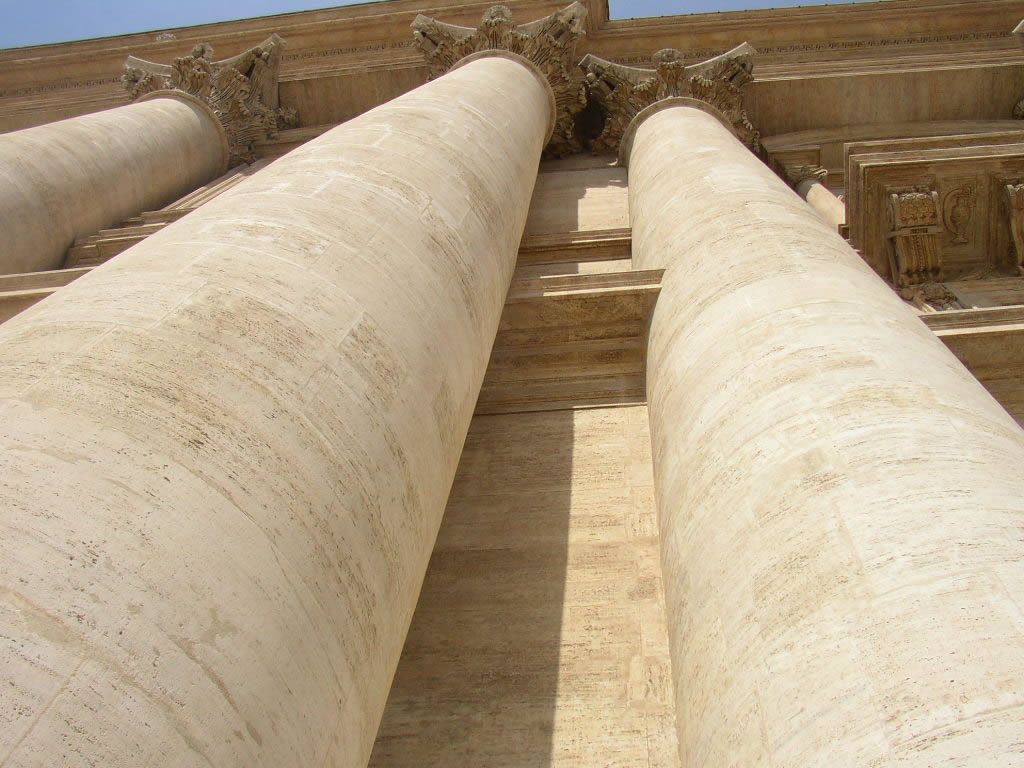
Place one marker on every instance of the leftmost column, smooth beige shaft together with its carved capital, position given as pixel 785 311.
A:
pixel 74 178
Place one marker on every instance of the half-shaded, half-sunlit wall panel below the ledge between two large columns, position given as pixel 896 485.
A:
pixel 540 636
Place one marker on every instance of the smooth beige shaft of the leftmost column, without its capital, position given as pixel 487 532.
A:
pixel 71 179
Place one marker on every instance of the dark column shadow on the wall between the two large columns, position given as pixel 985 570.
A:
pixel 479 677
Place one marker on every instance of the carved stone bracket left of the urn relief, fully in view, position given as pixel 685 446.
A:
pixel 917 234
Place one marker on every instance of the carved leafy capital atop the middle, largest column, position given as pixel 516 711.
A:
pixel 549 44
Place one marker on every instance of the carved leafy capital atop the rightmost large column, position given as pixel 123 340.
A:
pixel 626 91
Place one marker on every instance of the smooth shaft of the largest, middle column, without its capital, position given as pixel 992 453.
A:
pixel 226 454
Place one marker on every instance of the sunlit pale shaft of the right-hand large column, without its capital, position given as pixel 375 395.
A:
pixel 841 503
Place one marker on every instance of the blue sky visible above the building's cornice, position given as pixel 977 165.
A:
pixel 35 22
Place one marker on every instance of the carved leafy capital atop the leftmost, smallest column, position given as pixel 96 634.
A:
pixel 242 92
